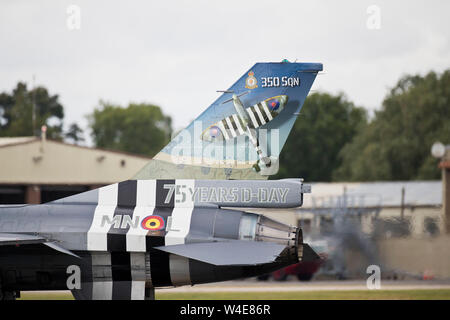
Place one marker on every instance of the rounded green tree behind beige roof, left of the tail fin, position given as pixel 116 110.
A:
pixel 139 128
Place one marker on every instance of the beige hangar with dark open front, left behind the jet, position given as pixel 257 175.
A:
pixel 36 170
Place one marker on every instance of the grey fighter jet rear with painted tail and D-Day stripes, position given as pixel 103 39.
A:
pixel 183 219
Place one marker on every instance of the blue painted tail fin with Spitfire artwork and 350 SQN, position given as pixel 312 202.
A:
pixel 241 134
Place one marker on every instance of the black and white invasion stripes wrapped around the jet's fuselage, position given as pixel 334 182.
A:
pixel 123 259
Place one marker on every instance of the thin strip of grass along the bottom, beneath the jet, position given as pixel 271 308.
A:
pixel 421 294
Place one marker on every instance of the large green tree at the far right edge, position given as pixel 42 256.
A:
pixel 396 144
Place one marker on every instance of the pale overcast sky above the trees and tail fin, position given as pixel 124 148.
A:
pixel 176 54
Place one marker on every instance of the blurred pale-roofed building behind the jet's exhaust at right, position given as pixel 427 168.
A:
pixel 404 219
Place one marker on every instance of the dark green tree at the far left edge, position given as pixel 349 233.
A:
pixel 16 112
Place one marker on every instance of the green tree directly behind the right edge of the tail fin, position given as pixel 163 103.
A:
pixel 326 123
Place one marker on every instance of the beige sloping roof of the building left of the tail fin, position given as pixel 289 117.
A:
pixel 30 160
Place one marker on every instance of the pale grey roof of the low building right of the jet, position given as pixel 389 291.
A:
pixel 375 194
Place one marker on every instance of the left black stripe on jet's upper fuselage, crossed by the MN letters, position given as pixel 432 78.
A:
pixel 126 201
